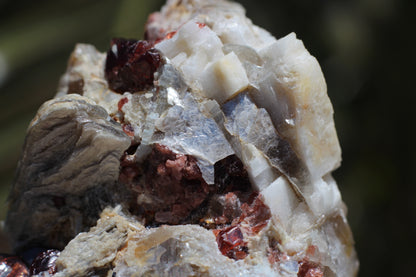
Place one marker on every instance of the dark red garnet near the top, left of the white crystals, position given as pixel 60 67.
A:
pixel 131 64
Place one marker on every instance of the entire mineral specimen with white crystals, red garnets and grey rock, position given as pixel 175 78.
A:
pixel 204 150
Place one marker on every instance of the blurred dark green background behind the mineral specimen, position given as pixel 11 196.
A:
pixel 366 51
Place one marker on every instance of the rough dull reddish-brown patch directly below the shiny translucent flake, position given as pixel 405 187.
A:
pixel 171 186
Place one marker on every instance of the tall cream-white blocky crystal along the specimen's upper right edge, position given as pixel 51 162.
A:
pixel 300 80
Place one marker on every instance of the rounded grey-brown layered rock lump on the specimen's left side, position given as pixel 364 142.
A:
pixel 67 172
